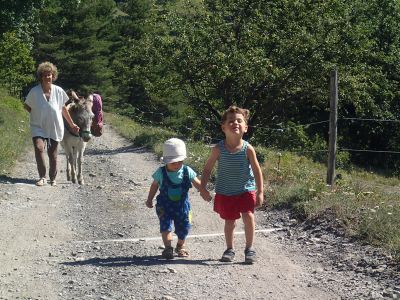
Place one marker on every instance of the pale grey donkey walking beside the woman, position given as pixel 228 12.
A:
pixel 74 145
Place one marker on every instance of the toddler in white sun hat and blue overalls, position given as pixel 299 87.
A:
pixel 173 207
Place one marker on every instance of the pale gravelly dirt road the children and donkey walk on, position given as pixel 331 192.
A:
pixel 99 241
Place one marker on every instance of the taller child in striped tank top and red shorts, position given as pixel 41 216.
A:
pixel 239 183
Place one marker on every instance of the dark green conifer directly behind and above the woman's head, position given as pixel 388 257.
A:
pixel 75 36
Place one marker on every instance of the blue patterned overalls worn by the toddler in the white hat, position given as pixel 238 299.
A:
pixel 173 205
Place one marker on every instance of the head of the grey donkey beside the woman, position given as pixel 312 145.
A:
pixel 82 115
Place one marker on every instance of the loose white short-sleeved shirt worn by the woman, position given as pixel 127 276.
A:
pixel 46 116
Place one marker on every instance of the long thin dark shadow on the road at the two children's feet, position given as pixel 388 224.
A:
pixel 135 261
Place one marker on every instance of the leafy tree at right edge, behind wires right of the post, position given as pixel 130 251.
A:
pixel 373 78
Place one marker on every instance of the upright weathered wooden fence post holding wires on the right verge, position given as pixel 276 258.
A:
pixel 330 179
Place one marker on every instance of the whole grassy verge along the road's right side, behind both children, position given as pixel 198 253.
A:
pixel 366 204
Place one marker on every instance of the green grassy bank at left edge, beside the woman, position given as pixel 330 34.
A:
pixel 14 131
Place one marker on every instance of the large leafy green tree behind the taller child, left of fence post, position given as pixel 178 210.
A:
pixel 268 56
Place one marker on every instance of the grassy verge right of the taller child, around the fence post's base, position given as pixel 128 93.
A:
pixel 366 204
